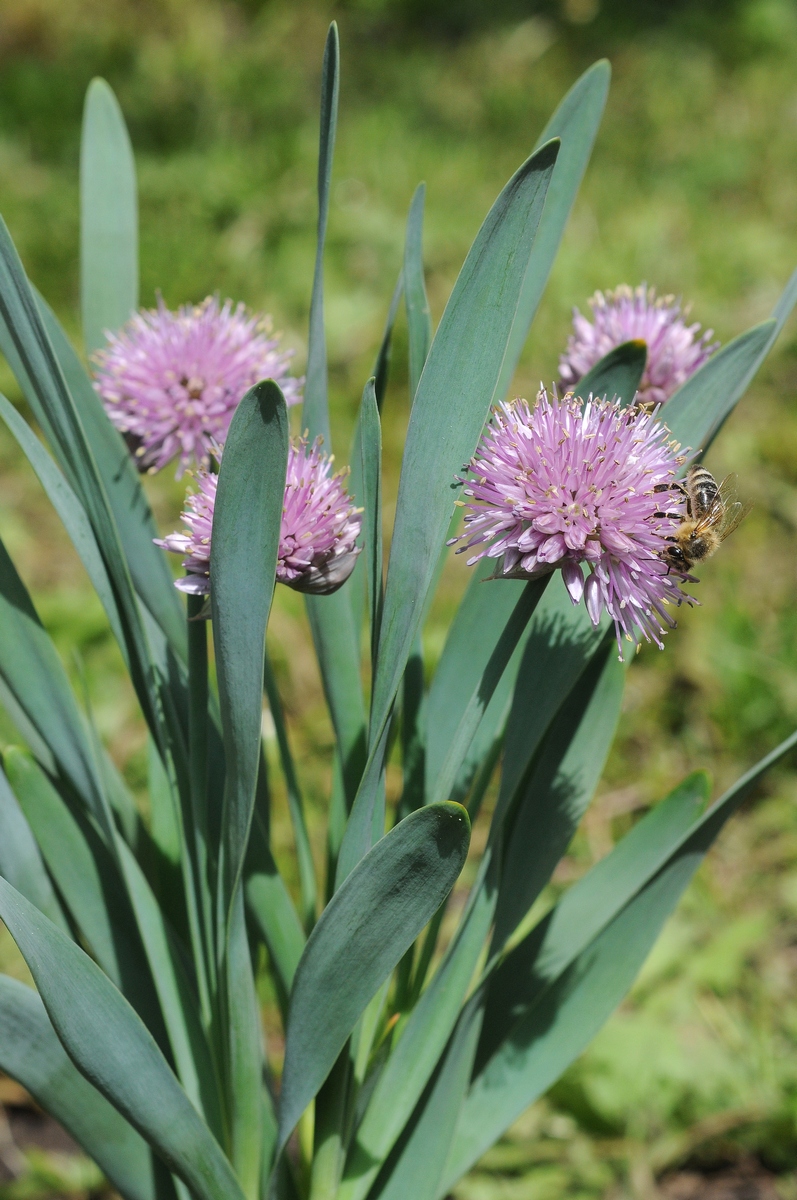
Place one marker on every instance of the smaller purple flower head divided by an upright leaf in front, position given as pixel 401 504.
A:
pixel 317 536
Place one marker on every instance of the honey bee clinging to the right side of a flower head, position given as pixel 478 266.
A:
pixel 714 512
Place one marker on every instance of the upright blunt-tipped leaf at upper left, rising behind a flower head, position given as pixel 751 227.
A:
pixel 109 218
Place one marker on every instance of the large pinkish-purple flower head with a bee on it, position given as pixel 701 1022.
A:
pixel 578 484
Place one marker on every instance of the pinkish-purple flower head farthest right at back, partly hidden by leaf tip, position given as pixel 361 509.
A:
pixel 626 315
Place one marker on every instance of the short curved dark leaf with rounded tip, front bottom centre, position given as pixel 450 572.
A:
pixel 362 935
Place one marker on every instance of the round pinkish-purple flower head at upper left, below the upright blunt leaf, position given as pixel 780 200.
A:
pixel 172 381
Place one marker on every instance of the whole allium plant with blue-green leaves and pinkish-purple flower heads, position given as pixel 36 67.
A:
pixel 151 932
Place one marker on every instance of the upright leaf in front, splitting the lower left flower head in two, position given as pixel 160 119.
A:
pixel 243 568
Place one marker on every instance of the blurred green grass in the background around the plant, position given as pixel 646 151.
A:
pixel 692 189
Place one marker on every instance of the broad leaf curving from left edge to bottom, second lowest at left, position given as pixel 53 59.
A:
pixel 115 1051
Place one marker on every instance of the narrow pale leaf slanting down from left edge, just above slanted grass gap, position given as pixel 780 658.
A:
pixel 69 509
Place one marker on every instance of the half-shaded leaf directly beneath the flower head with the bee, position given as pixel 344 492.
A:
pixel 559 789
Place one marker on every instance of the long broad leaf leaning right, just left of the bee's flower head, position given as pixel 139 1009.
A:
pixel 452 404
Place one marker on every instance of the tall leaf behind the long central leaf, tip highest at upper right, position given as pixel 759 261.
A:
pixel 576 123
